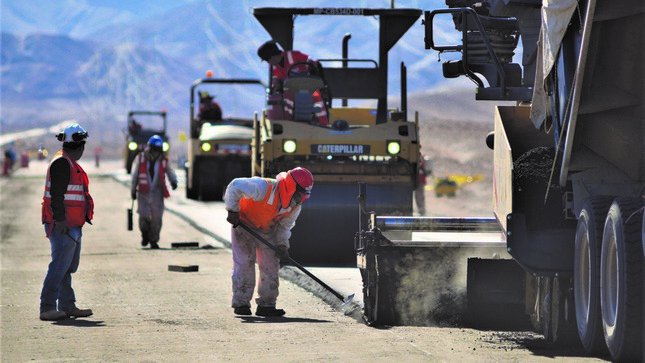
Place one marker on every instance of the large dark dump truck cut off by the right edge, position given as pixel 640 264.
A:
pixel 569 162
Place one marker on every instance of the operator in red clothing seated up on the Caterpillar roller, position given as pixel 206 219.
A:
pixel 281 62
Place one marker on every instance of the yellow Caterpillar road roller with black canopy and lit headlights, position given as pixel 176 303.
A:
pixel 375 145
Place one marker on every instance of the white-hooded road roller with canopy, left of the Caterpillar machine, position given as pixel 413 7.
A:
pixel 219 145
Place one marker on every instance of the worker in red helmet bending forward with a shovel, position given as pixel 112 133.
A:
pixel 270 207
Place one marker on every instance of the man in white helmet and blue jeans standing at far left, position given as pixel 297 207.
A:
pixel 67 205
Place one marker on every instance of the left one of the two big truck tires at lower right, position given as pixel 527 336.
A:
pixel 586 270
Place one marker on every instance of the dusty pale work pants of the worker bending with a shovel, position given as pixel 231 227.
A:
pixel 245 253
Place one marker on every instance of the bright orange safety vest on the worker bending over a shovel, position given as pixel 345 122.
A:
pixel 263 215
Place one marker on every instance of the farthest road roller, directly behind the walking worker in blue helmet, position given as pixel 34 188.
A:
pixel 140 126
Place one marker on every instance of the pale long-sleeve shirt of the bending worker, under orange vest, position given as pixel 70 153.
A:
pixel 256 188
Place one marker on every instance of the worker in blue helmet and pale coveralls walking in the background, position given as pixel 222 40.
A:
pixel 149 173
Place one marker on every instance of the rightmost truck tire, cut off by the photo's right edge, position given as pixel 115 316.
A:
pixel 620 280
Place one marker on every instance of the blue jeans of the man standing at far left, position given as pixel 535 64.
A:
pixel 66 254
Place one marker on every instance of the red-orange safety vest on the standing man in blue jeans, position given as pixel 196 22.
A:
pixel 78 203
